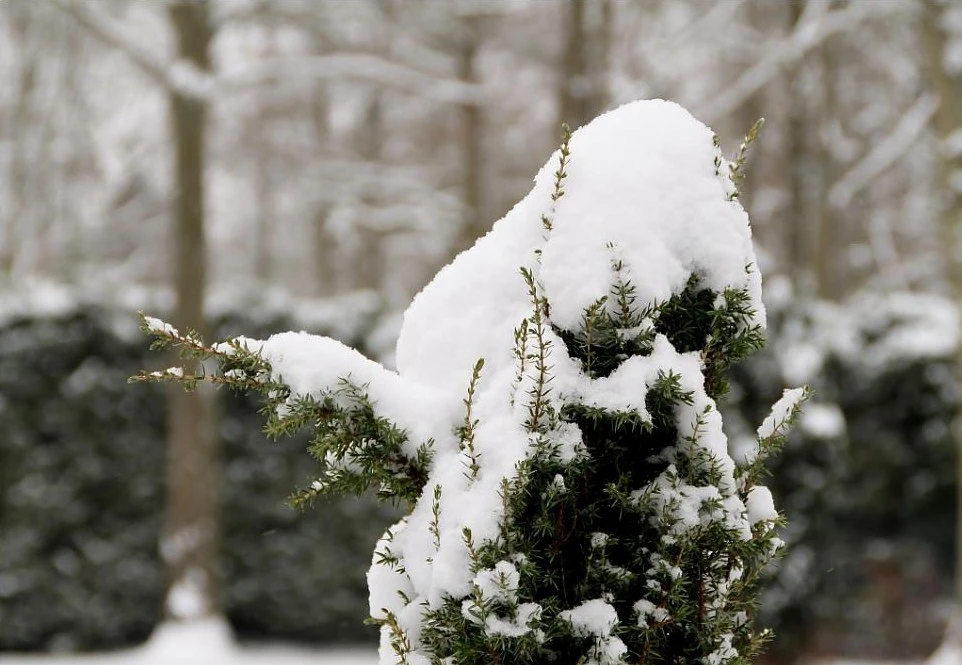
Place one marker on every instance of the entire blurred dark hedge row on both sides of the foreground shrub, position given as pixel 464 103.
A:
pixel 870 506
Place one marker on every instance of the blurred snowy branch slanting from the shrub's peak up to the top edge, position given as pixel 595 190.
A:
pixel 814 27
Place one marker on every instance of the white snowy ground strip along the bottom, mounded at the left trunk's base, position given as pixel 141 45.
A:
pixel 201 643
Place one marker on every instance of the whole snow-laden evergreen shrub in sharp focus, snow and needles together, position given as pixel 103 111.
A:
pixel 552 424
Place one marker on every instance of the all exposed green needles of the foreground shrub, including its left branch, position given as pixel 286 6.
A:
pixel 599 527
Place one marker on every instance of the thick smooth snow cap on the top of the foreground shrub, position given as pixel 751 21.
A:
pixel 641 185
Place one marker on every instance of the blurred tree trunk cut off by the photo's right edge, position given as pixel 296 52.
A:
pixel 948 120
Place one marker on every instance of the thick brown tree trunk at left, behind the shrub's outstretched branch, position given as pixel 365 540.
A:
pixel 190 540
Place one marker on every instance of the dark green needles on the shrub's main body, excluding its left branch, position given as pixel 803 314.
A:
pixel 582 533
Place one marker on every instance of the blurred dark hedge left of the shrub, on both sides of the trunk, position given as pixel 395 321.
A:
pixel 81 495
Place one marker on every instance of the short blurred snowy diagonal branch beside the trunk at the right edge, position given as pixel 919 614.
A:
pixel 885 153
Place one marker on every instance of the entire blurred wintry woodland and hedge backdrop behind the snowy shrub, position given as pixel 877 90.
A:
pixel 257 165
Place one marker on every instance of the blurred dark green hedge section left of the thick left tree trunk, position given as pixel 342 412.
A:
pixel 80 498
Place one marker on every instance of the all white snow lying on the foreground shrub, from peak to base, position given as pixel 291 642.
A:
pixel 645 186
